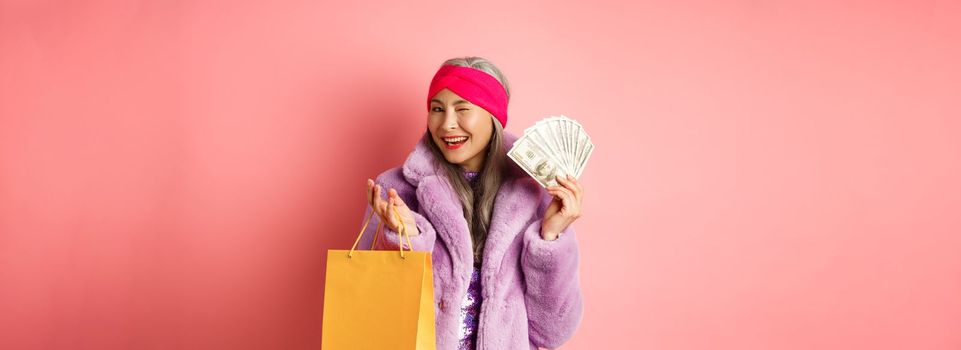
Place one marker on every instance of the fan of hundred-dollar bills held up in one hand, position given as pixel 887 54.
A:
pixel 554 146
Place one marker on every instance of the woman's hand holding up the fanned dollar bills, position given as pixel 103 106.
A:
pixel 564 209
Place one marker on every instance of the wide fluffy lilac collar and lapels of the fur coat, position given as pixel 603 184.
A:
pixel 515 205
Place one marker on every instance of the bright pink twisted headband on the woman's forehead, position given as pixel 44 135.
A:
pixel 474 85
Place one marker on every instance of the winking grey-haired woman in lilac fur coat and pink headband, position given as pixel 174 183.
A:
pixel 503 249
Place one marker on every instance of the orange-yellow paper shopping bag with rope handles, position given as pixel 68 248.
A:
pixel 378 299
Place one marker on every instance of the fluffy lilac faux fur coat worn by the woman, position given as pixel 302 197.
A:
pixel 531 290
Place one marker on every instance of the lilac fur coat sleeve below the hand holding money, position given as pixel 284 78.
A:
pixel 553 295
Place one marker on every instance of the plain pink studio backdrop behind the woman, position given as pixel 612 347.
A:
pixel 767 175
